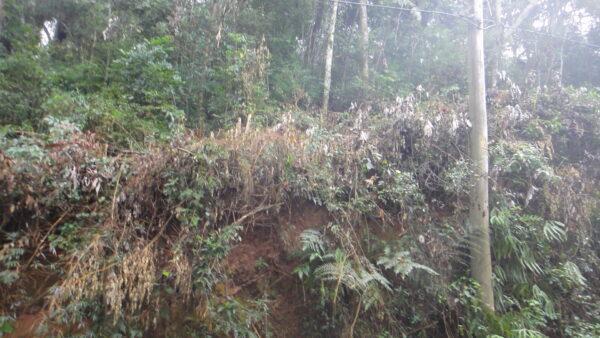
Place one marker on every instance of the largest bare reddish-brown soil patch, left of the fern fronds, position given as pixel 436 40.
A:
pixel 273 244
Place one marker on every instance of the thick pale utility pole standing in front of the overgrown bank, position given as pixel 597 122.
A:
pixel 481 263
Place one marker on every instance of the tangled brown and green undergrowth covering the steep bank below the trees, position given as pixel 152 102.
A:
pixel 138 241
